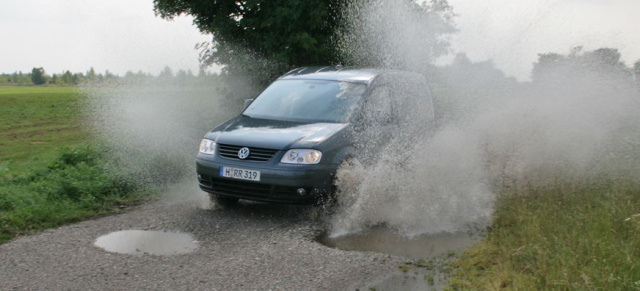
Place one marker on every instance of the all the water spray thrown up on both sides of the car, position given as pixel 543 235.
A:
pixel 491 133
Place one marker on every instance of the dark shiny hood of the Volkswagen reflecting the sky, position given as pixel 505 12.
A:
pixel 274 134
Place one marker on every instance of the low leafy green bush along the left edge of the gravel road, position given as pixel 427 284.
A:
pixel 74 185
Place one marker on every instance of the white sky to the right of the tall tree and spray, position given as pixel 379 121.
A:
pixel 513 32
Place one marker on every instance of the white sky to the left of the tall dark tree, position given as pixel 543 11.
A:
pixel 75 35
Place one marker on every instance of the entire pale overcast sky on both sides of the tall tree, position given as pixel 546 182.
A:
pixel 122 35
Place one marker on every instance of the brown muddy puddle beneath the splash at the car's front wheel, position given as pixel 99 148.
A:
pixel 387 241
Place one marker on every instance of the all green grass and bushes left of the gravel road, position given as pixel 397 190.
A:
pixel 51 170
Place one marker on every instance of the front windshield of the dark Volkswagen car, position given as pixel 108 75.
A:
pixel 307 100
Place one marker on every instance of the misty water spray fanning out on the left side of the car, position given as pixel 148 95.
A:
pixel 152 129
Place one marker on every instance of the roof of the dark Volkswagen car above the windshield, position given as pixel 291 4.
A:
pixel 336 73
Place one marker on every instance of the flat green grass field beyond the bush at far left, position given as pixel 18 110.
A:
pixel 36 121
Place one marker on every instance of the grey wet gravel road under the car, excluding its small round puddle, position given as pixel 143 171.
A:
pixel 249 247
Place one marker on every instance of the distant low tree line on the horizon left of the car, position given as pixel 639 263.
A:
pixel 38 76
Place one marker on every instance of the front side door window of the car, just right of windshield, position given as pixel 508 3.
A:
pixel 378 109
